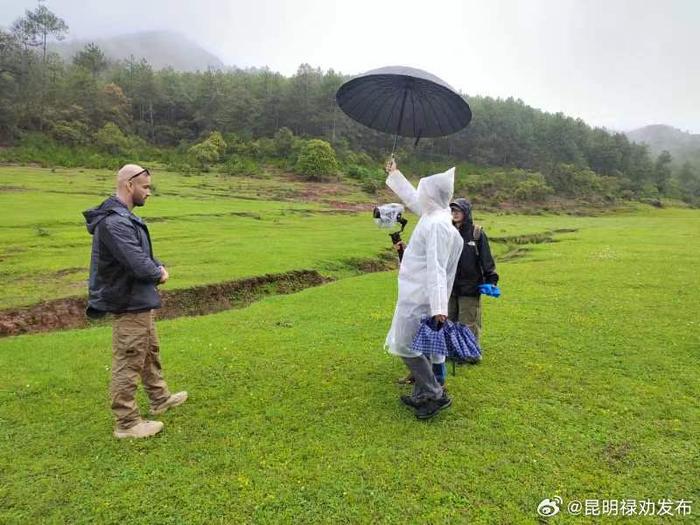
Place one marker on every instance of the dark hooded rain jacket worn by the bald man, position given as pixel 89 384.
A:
pixel 123 271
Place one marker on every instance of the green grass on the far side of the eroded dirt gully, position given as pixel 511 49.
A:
pixel 205 228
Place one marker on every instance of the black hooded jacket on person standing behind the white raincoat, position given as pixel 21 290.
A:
pixel 476 265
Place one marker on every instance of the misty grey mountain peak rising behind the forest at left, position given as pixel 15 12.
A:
pixel 161 48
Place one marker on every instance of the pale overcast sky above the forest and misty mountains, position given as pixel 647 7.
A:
pixel 615 63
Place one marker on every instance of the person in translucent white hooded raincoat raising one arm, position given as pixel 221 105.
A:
pixel 426 276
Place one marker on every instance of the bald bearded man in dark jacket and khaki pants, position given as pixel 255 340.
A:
pixel 123 279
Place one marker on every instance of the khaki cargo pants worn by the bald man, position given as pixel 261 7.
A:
pixel 135 353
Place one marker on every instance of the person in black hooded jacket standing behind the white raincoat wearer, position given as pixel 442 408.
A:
pixel 476 267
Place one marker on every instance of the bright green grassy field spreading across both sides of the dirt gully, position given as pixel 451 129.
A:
pixel 588 389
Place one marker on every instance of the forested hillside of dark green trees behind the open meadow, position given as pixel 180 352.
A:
pixel 81 110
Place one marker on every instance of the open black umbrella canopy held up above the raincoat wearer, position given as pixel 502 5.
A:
pixel 404 101
